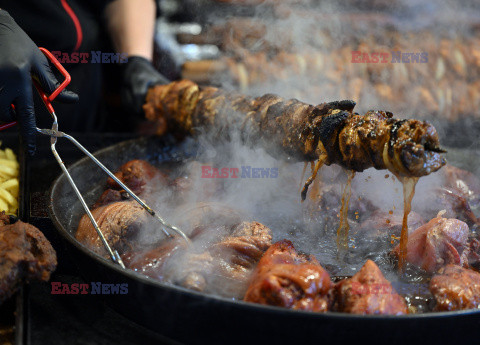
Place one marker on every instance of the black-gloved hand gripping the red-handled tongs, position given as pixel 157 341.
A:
pixel 20 60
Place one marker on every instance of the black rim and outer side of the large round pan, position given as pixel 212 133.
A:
pixel 197 318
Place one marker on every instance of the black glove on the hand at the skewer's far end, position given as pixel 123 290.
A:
pixel 138 76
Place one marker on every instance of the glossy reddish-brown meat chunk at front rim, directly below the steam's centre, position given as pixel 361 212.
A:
pixel 288 279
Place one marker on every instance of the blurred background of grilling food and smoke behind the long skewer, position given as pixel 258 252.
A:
pixel 305 49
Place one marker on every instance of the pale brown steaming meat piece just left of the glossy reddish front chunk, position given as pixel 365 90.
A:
pixel 226 265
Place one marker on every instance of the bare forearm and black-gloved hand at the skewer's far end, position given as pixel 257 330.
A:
pixel 131 24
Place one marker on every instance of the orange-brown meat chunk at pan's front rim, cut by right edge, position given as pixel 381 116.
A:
pixel 456 288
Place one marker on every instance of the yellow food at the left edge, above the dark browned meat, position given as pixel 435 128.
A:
pixel 9 184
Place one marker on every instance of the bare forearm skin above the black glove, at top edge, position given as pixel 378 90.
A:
pixel 131 25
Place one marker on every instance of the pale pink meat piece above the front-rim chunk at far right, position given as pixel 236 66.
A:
pixel 441 241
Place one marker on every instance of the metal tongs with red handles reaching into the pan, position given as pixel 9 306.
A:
pixel 54 133
